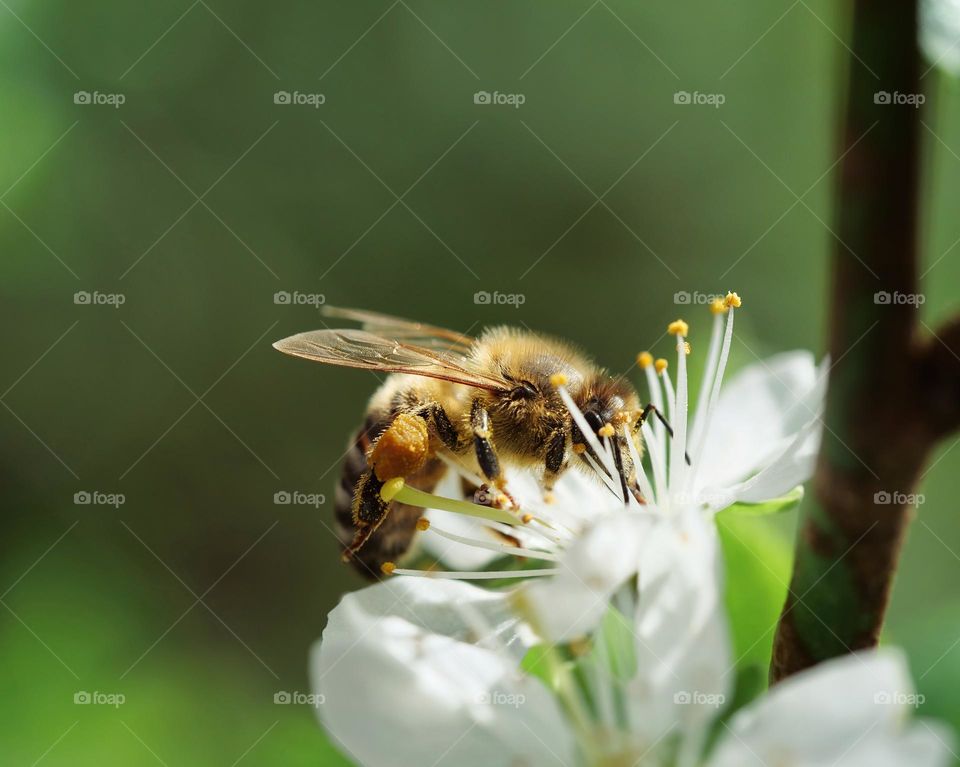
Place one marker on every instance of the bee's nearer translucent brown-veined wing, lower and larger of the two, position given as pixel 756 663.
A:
pixel 360 349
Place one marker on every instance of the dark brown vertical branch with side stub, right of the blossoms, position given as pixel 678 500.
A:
pixel 893 391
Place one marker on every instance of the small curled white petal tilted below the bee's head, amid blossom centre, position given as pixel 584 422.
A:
pixel 571 603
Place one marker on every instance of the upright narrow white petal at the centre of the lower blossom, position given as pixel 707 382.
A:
pixel 683 644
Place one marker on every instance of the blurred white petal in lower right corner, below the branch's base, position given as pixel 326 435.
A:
pixel 849 711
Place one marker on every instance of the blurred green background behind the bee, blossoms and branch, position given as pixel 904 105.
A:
pixel 199 198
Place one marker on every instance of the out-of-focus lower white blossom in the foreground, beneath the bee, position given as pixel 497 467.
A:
pixel 414 670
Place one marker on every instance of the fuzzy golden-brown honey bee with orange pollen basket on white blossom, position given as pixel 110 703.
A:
pixel 481 402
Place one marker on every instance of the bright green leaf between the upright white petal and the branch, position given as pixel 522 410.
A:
pixel 758 561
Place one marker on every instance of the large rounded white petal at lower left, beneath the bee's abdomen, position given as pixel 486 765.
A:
pixel 404 681
